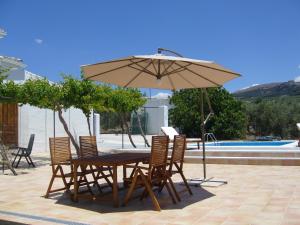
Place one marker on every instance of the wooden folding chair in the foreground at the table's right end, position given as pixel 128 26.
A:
pixel 154 174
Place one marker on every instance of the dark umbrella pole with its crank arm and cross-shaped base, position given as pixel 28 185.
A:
pixel 201 182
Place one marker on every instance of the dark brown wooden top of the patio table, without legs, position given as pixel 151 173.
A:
pixel 113 159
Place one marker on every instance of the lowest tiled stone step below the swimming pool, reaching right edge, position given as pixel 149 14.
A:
pixel 282 161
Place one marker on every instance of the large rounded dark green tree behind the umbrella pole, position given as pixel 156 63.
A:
pixel 228 122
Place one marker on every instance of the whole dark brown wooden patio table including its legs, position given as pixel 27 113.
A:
pixel 112 160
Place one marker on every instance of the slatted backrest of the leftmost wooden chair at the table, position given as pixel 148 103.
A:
pixel 60 150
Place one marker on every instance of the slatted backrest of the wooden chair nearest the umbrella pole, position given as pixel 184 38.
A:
pixel 179 147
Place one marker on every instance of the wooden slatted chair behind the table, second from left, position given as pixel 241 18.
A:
pixel 88 148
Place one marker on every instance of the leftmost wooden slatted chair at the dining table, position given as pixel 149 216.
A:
pixel 61 157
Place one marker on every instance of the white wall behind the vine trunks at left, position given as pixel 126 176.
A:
pixel 33 120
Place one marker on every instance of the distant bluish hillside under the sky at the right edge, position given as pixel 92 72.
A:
pixel 289 88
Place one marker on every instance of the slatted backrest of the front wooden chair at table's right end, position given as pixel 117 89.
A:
pixel 159 153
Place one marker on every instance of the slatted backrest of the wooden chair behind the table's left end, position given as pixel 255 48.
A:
pixel 88 147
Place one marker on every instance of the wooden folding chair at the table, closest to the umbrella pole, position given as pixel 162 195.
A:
pixel 176 162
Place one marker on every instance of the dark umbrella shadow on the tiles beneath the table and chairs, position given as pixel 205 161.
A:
pixel 105 203
